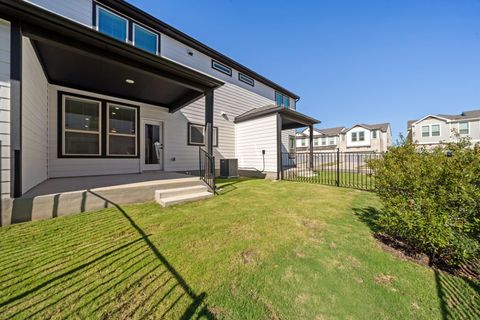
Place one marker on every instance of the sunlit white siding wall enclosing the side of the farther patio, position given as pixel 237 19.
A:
pixel 253 136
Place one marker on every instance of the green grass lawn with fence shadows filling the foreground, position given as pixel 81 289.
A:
pixel 259 250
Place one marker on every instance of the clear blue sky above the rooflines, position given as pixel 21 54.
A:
pixel 350 61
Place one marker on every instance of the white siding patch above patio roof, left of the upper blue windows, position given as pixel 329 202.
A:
pixel 77 10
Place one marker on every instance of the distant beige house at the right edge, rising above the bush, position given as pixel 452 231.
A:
pixel 433 130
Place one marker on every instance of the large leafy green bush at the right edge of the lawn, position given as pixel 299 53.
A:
pixel 431 199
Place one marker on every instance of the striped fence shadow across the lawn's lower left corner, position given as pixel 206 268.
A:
pixel 108 267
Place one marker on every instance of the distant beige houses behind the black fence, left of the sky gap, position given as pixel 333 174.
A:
pixel 359 138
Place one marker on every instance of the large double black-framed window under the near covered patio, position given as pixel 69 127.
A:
pixel 96 128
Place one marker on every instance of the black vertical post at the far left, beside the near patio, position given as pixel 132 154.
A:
pixel 16 109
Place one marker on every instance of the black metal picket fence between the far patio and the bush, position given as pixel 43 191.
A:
pixel 341 169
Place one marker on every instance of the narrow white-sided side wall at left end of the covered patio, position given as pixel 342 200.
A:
pixel 34 119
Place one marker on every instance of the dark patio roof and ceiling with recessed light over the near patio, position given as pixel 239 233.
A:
pixel 80 57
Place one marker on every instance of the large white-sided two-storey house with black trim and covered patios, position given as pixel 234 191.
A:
pixel 90 88
